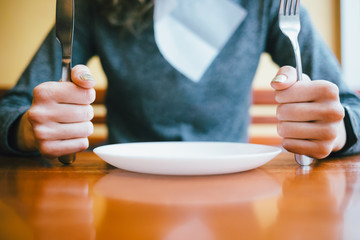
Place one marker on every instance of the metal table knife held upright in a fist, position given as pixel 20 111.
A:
pixel 64 34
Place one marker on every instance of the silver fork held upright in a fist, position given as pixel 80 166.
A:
pixel 289 23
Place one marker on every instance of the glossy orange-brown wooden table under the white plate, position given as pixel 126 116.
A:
pixel 42 199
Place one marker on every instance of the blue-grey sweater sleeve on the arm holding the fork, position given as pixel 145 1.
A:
pixel 318 63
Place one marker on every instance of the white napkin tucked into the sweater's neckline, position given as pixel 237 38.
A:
pixel 191 33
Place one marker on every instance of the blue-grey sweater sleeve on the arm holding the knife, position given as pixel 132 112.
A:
pixel 45 66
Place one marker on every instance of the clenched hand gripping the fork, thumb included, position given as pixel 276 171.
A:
pixel 310 114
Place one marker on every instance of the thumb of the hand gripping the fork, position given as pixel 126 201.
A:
pixel 285 78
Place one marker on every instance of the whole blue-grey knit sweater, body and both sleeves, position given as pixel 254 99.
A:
pixel 148 100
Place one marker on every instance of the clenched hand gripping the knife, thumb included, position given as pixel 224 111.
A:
pixel 59 120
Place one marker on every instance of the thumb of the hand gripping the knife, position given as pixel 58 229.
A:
pixel 82 77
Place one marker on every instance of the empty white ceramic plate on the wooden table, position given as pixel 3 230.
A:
pixel 187 158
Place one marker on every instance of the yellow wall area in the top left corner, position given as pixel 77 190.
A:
pixel 23 25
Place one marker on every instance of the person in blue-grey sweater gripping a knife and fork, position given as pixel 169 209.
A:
pixel 149 100
